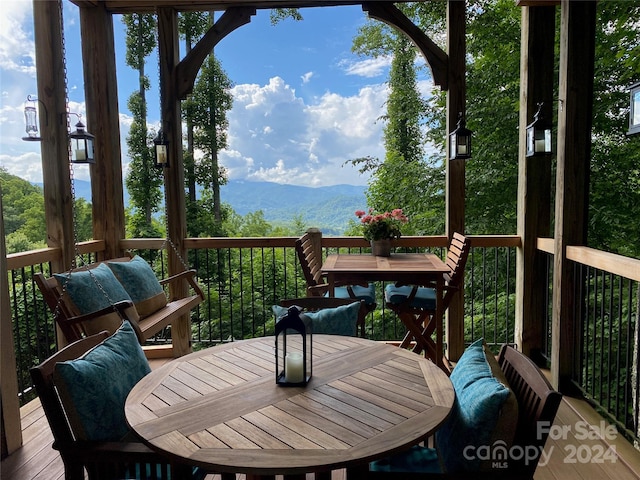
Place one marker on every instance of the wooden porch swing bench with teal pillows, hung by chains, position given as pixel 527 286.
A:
pixel 148 316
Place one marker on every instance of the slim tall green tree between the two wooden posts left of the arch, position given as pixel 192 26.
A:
pixel 143 180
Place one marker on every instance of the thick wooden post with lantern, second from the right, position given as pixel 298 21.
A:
pixel 534 178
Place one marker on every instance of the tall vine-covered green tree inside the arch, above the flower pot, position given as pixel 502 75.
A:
pixel 406 179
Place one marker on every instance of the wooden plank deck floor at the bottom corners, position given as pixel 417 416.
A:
pixel 571 456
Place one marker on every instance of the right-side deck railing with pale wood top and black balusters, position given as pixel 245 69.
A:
pixel 606 354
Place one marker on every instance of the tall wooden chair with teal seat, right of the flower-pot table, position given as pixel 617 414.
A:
pixel 417 303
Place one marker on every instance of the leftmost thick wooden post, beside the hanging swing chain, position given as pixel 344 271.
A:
pixel 58 207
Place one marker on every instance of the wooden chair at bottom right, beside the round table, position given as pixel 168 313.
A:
pixel 537 405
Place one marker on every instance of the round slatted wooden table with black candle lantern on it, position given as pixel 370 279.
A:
pixel 221 409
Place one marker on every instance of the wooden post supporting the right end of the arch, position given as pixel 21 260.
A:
pixel 455 192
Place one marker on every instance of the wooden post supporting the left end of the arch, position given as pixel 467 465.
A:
pixel 169 54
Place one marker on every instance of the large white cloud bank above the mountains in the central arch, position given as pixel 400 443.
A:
pixel 303 144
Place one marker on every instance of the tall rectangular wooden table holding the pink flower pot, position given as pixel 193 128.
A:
pixel 403 268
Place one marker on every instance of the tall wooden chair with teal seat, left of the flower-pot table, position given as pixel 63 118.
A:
pixel 311 265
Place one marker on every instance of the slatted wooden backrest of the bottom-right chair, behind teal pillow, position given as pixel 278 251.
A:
pixel 538 404
